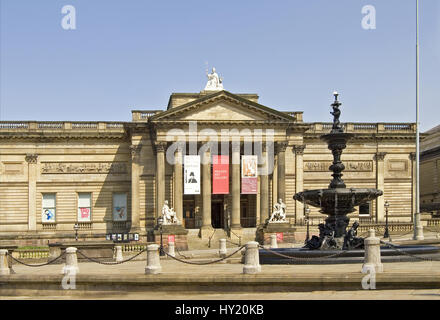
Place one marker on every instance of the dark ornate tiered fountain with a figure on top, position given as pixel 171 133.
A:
pixel 337 201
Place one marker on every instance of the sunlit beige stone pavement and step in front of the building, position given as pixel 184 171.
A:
pixel 223 281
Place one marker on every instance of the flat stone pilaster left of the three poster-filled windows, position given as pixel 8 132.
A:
pixel 32 159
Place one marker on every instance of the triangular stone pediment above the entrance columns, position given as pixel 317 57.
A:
pixel 222 106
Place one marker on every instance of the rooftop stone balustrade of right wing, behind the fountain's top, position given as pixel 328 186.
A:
pixel 353 127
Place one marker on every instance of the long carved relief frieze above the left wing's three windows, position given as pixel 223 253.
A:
pixel 84 167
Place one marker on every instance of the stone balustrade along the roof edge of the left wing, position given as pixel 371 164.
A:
pixel 56 126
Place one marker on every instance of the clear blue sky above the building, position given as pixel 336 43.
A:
pixel 127 55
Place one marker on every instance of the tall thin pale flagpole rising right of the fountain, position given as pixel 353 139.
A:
pixel 418 228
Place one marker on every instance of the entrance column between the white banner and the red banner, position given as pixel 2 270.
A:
pixel 206 229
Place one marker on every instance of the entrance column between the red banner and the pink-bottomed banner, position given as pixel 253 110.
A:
pixel 235 219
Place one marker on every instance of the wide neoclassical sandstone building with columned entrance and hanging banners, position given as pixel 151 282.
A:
pixel 114 177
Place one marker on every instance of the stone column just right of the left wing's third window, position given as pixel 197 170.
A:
pixel 135 179
